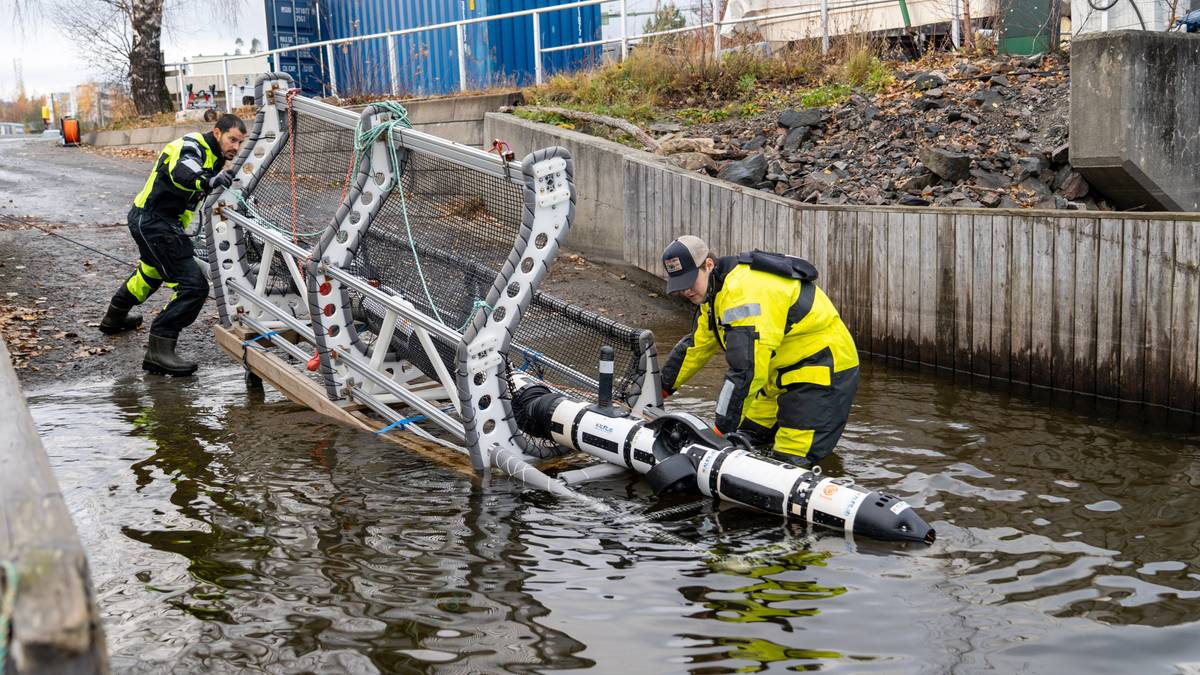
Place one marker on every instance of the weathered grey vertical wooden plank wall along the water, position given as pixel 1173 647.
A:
pixel 1099 304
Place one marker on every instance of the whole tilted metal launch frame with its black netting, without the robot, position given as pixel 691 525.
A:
pixel 315 294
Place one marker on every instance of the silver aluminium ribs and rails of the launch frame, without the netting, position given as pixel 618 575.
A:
pixel 469 402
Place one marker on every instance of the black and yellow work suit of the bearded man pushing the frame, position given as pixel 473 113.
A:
pixel 158 222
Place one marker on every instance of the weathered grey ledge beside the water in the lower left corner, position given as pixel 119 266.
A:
pixel 56 625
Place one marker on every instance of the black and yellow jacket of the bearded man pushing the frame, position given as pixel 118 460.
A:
pixel 178 182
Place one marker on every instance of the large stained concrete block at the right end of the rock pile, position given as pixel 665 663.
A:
pixel 1136 118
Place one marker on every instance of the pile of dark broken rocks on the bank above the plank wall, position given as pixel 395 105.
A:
pixel 970 134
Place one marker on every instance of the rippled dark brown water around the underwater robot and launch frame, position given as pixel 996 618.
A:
pixel 229 534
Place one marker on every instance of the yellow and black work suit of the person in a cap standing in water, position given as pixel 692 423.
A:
pixel 794 367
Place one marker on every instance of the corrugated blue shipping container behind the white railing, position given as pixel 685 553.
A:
pixel 499 52
